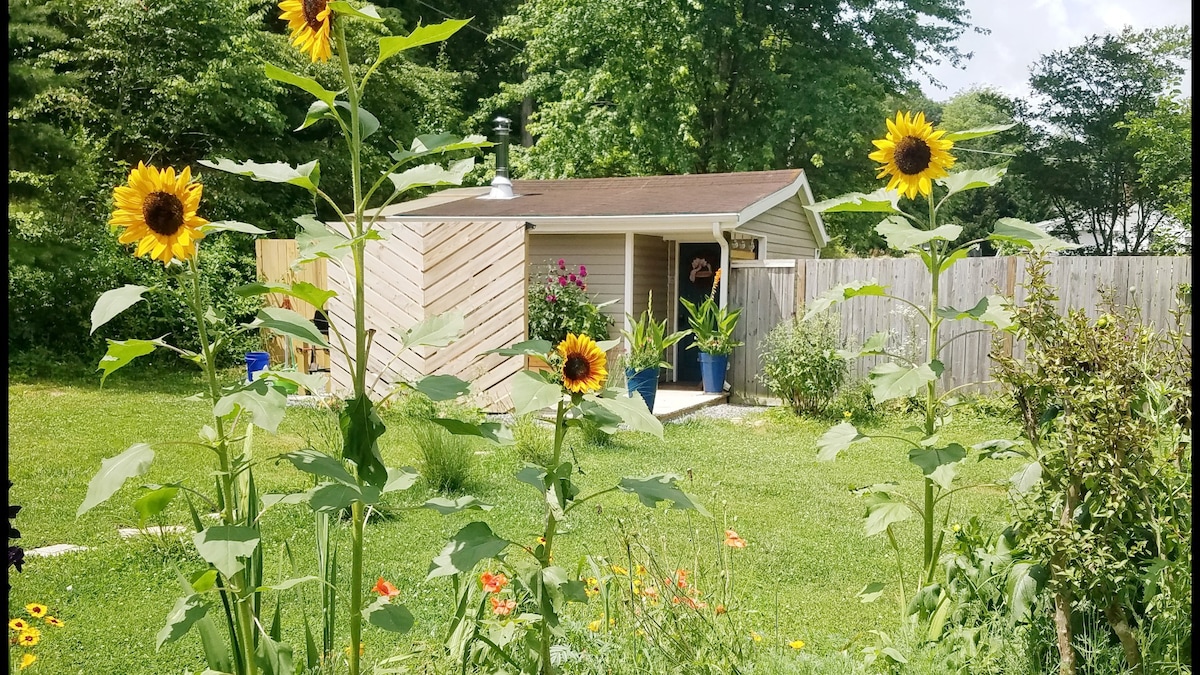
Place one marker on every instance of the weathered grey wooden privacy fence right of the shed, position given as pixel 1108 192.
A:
pixel 772 291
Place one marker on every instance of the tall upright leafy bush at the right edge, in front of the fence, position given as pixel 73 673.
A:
pixel 1105 501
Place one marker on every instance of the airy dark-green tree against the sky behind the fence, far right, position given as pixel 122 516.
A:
pixel 1082 158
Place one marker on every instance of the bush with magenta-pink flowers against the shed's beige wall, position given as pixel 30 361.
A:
pixel 560 304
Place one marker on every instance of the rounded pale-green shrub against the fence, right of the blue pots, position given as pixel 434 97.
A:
pixel 801 363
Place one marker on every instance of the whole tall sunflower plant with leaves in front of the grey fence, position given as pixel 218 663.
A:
pixel 916 158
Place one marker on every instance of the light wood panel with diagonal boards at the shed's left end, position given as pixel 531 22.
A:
pixel 422 270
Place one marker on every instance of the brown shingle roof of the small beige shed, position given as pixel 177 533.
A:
pixel 656 195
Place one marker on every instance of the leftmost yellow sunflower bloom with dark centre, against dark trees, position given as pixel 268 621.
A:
pixel 158 211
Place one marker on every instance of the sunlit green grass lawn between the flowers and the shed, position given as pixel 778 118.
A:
pixel 806 561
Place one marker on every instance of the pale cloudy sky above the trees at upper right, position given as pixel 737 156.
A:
pixel 1025 31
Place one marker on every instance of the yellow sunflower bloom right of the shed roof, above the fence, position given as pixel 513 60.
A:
pixel 913 154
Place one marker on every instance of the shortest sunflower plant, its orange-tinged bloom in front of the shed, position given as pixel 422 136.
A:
pixel 515 630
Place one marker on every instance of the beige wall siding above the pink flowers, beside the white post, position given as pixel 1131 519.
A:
pixel 604 255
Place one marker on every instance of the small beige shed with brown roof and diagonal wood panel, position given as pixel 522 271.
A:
pixel 469 250
